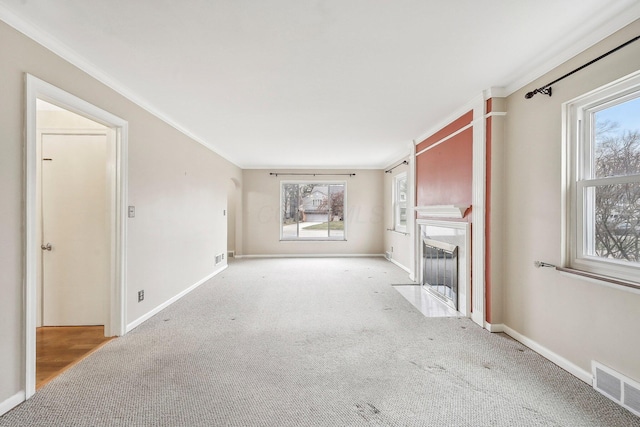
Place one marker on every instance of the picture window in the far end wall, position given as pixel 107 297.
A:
pixel 313 210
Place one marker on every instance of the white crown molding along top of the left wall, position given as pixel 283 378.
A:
pixel 65 52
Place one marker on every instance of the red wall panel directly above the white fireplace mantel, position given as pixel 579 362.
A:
pixel 444 173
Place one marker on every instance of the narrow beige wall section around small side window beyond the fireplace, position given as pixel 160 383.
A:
pixel 397 243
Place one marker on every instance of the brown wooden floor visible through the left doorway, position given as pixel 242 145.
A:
pixel 60 347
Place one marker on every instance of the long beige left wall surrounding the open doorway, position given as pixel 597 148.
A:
pixel 179 189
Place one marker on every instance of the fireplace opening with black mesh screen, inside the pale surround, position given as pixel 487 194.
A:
pixel 440 270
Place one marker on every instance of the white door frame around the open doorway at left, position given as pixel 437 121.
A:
pixel 36 88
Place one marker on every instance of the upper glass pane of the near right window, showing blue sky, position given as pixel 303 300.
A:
pixel 617 140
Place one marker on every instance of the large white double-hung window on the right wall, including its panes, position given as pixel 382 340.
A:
pixel 603 161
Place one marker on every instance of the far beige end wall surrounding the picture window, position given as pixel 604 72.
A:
pixel 261 222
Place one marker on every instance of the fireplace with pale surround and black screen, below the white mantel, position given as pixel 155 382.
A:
pixel 444 256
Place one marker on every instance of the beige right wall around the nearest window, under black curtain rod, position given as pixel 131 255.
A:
pixel 576 319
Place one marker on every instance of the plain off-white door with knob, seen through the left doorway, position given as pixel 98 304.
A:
pixel 75 267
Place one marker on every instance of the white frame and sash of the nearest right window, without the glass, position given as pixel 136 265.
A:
pixel 578 156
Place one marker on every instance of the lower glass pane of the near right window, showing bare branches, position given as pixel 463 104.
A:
pixel 614 221
